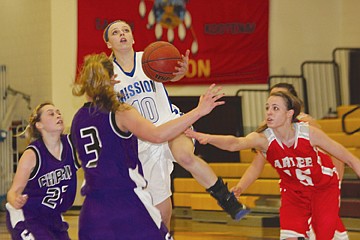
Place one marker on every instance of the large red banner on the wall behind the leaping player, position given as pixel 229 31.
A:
pixel 228 39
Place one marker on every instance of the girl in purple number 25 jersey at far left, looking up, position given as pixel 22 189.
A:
pixel 44 185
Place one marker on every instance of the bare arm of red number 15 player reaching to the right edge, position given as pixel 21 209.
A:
pixel 320 139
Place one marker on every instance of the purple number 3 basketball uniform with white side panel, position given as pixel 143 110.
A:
pixel 116 205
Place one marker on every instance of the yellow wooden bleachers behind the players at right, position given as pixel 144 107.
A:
pixel 190 200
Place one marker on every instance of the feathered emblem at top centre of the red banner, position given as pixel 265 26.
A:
pixel 169 14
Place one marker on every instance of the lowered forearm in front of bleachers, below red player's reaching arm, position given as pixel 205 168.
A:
pixel 251 174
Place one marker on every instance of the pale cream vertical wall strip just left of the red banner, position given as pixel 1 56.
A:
pixel 63 56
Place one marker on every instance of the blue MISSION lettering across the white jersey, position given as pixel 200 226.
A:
pixel 136 88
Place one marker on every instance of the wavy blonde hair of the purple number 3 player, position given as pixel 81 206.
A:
pixel 94 80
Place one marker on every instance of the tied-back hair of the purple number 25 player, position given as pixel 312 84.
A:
pixel 31 132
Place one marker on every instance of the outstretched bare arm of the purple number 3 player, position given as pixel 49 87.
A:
pixel 131 120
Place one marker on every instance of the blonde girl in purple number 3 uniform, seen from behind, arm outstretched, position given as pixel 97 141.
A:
pixel 117 204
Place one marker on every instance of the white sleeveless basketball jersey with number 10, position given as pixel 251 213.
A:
pixel 150 98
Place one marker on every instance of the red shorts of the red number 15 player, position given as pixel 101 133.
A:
pixel 301 209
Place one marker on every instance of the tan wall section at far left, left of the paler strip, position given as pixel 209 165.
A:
pixel 25 49
